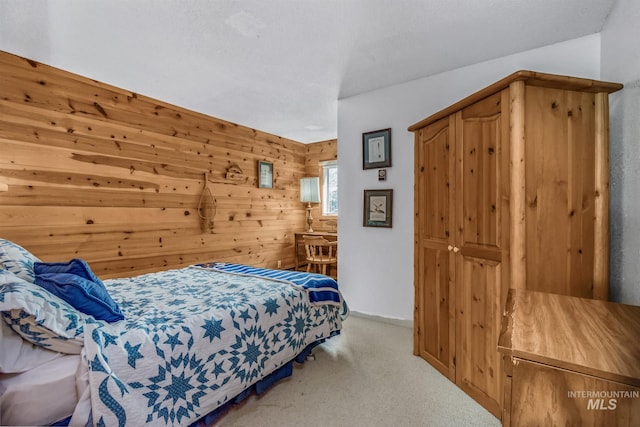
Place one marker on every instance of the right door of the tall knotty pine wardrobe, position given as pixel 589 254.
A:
pixel 481 239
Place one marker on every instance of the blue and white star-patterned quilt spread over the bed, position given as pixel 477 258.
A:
pixel 193 339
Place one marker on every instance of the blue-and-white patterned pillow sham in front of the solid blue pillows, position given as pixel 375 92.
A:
pixel 41 317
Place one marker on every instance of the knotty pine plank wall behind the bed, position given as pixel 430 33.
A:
pixel 92 171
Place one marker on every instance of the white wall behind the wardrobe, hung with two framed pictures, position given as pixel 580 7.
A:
pixel 376 264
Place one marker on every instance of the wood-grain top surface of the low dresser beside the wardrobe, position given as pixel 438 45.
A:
pixel 588 336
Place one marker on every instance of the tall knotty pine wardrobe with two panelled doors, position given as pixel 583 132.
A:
pixel 511 191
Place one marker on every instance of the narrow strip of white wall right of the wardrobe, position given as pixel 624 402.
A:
pixel 621 63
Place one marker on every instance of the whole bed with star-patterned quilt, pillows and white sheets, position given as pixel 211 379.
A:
pixel 175 347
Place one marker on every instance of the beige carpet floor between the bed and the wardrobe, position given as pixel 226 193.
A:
pixel 367 376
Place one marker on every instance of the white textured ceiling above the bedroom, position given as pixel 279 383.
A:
pixel 281 65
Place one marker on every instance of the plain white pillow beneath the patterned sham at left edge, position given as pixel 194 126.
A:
pixel 18 355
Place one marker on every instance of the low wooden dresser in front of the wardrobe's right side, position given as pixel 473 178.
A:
pixel 570 361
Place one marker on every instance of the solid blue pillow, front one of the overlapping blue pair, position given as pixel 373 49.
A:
pixel 84 295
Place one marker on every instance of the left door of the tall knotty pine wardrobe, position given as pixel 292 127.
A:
pixel 434 236
